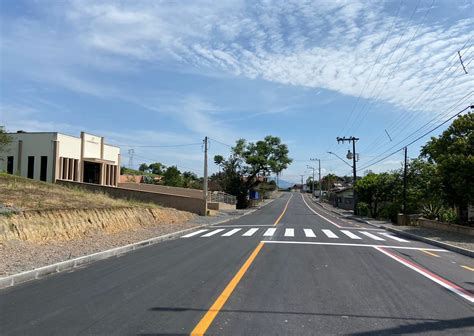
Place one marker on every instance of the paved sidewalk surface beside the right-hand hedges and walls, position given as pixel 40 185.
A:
pixel 441 236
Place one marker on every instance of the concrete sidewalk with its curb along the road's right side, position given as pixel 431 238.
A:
pixel 449 240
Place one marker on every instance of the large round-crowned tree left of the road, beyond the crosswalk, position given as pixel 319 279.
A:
pixel 249 161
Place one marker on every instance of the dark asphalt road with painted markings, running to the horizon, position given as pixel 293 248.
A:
pixel 310 274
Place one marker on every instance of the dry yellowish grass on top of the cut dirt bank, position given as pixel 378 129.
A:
pixel 27 194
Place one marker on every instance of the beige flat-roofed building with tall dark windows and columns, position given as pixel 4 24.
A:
pixel 51 156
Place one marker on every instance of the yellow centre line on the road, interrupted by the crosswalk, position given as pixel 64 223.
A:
pixel 208 318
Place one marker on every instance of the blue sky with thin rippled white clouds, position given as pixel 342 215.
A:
pixel 165 72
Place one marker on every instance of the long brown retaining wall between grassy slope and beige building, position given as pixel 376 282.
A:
pixel 186 203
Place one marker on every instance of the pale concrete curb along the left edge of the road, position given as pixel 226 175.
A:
pixel 37 273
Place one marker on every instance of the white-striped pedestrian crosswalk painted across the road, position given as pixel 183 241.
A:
pixel 292 232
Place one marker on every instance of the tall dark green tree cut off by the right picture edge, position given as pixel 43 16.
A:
pixel 453 152
